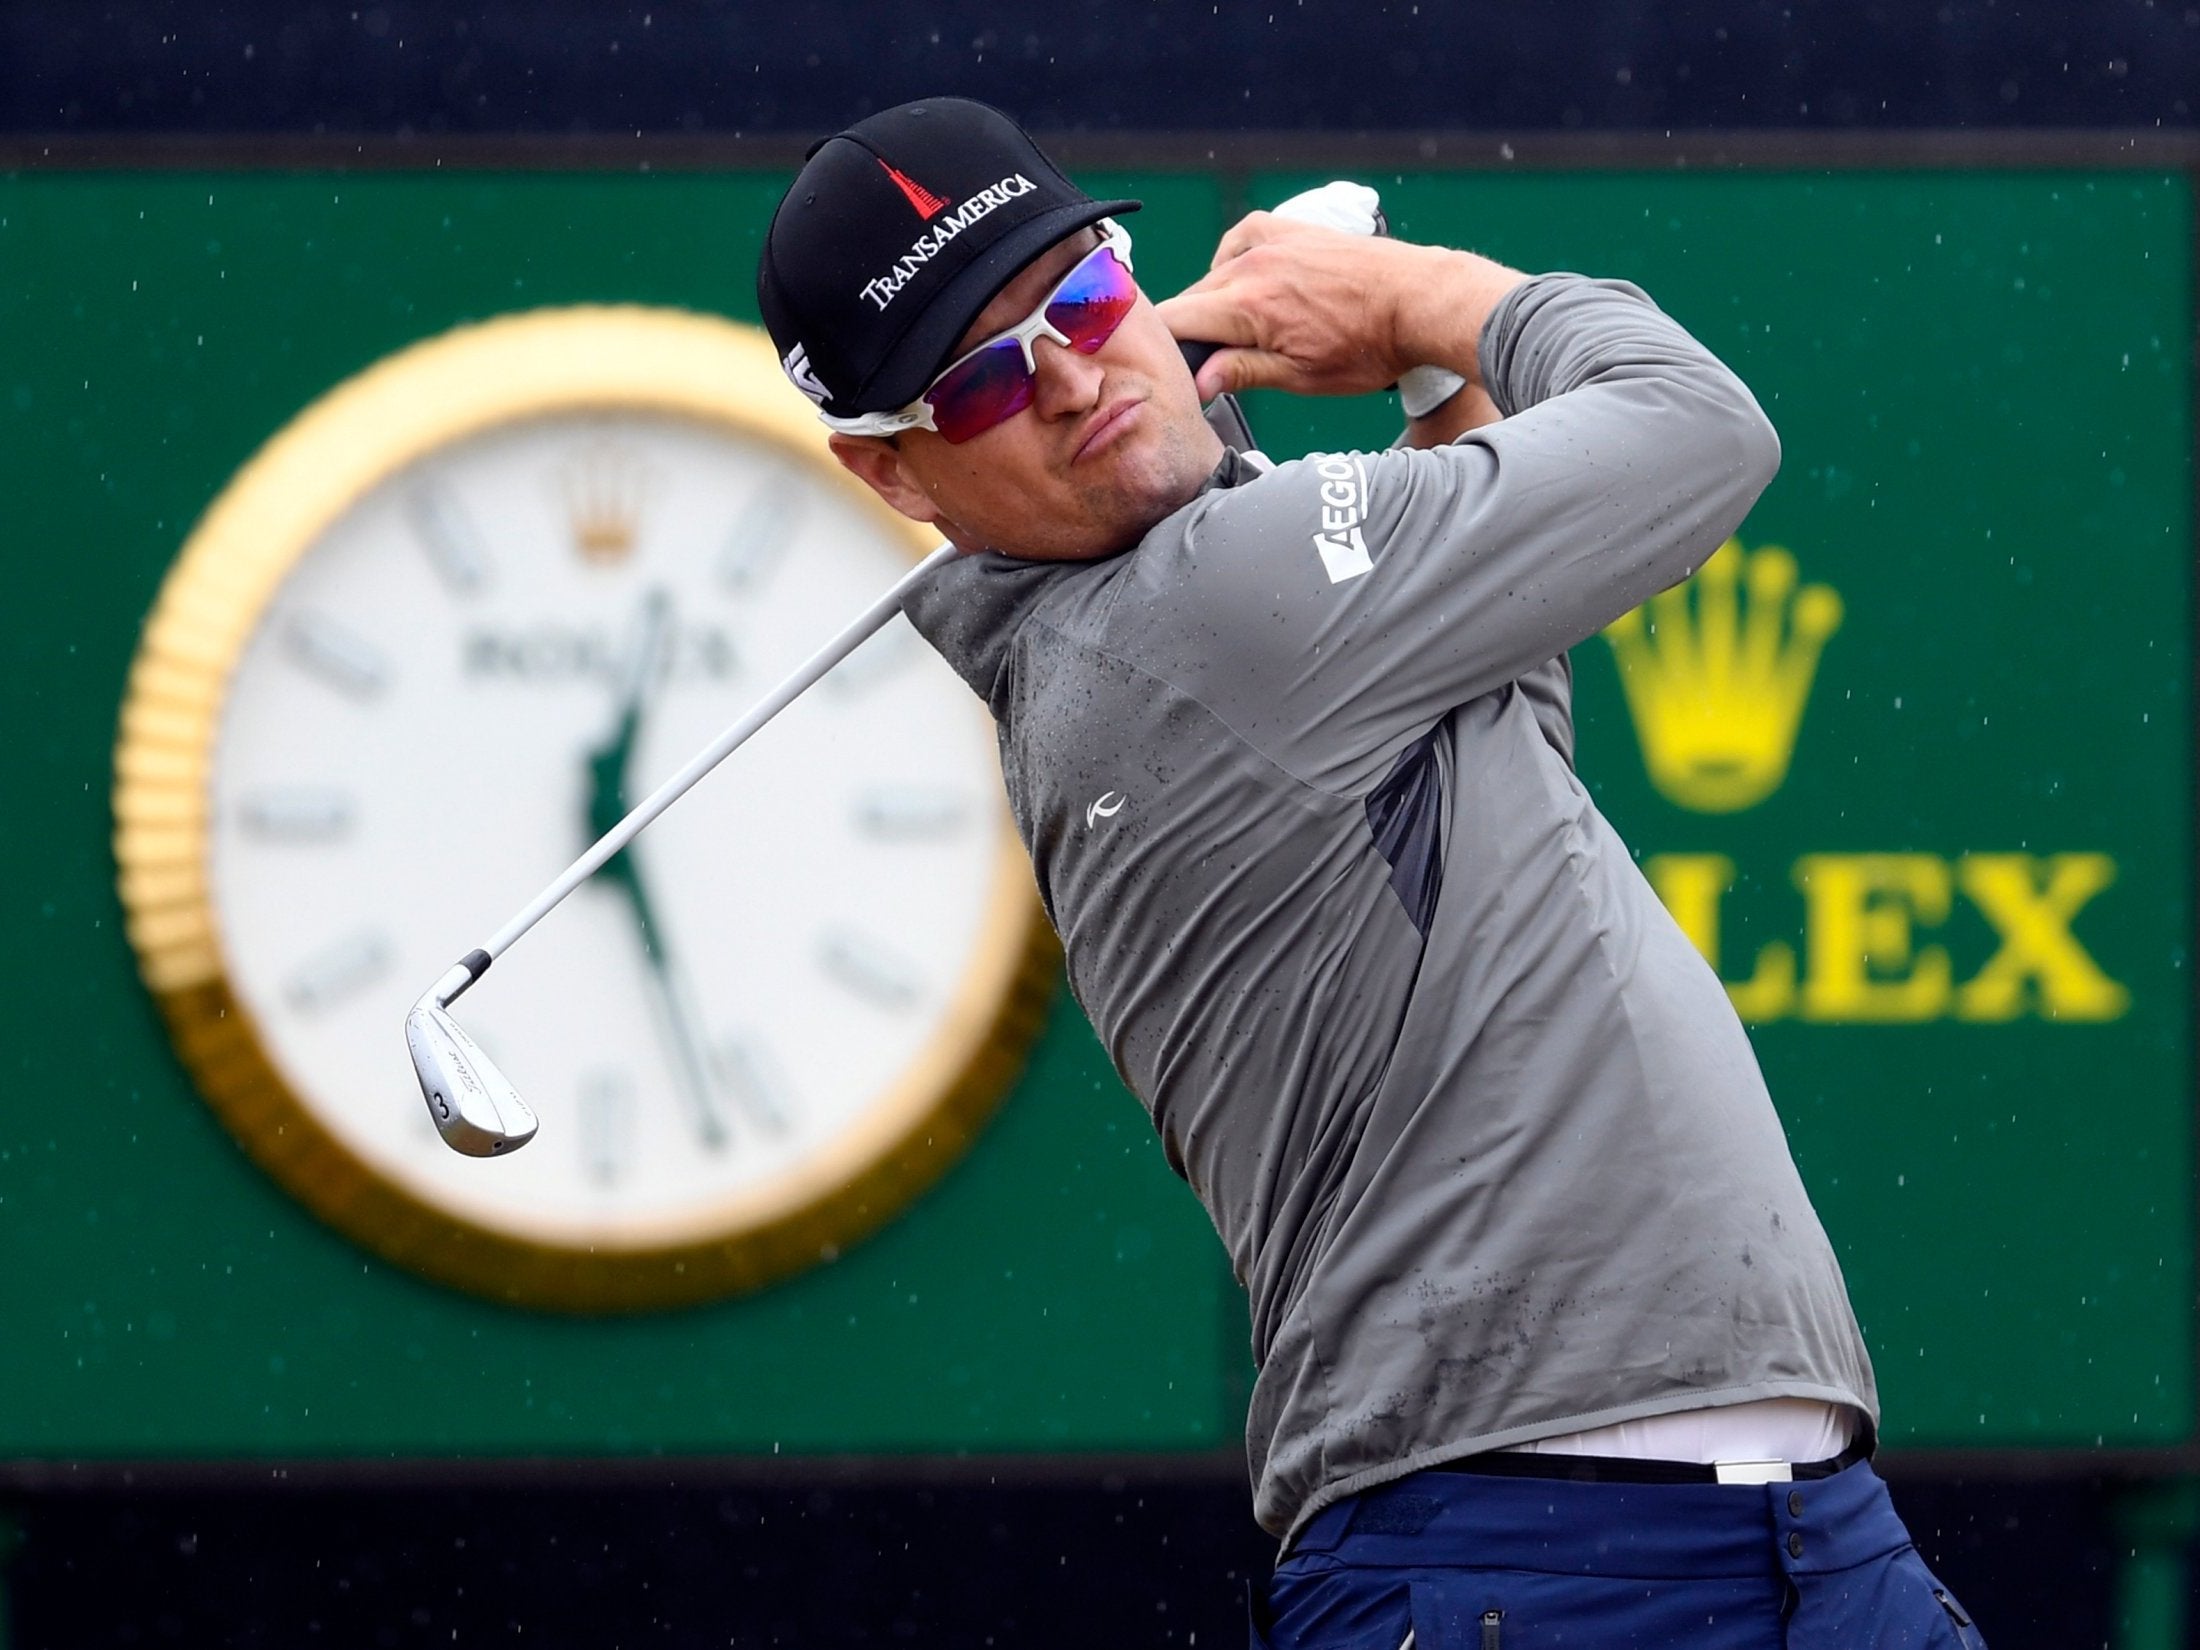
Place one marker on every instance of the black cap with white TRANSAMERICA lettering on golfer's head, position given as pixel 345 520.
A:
pixel 896 234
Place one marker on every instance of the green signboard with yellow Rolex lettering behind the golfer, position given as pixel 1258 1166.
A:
pixel 1911 760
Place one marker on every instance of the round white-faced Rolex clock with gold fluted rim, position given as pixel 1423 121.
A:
pixel 423 650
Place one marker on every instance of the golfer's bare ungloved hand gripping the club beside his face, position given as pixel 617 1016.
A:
pixel 1325 313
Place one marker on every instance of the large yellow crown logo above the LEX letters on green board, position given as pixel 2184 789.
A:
pixel 1717 672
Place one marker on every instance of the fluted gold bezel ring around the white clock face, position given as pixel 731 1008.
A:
pixel 263 525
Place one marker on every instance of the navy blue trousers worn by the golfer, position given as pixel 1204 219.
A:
pixel 1473 1563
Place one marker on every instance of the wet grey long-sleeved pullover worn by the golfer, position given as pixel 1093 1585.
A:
pixel 1477 1125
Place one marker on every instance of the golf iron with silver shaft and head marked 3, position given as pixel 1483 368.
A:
pixel 476 1108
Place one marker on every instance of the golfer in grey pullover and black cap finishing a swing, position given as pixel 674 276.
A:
pixel 1552 1345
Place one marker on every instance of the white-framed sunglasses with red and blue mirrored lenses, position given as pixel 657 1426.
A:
pixel 993 382
